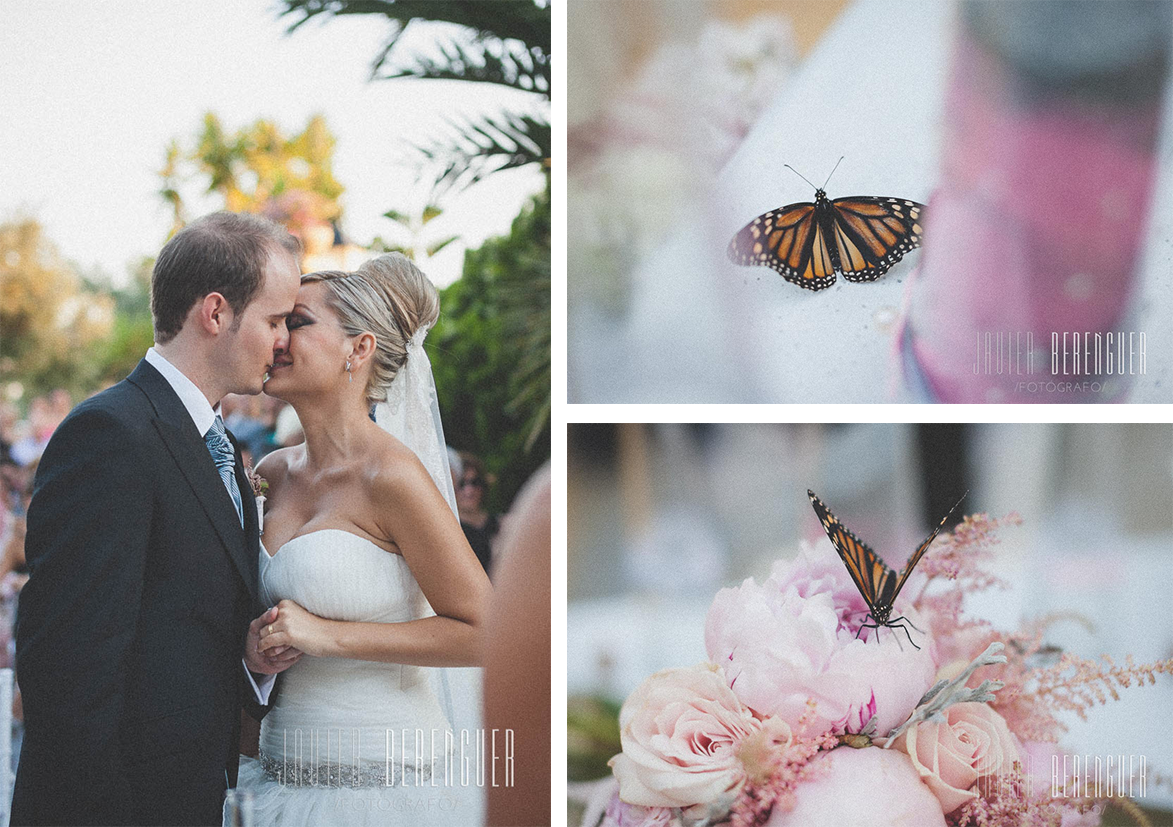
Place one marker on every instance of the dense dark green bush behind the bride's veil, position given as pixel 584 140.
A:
pixel 492 353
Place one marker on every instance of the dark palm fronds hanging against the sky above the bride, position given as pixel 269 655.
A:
pixel 505 43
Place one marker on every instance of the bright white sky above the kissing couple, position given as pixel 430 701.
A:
pixel 91 94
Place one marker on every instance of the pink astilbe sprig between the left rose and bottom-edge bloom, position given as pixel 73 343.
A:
pixel 775 775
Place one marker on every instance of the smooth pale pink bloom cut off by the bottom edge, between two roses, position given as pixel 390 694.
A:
pixel 870 788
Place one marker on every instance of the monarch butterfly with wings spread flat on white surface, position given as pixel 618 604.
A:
pixel 860 238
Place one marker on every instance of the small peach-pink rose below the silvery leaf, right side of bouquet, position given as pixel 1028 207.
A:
pixel 973 743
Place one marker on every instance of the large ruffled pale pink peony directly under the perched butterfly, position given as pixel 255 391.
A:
pixel 794 639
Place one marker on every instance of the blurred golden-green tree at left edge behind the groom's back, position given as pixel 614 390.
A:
pixel 50 321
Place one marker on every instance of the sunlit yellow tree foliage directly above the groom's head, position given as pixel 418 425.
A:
pixel 257 170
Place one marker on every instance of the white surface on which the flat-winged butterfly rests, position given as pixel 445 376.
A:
pixel 872 93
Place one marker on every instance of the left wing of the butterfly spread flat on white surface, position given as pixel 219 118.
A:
pixel 788 240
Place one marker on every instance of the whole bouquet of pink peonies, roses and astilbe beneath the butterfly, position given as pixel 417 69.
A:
pixel 804 718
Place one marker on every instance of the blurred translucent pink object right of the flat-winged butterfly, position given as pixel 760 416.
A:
pixel 1036 228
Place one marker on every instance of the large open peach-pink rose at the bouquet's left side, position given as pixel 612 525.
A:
pixel 681 733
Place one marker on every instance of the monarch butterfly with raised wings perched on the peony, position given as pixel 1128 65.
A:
pixel 877 582
